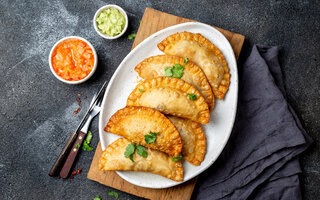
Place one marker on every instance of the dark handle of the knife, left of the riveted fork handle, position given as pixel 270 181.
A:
pixel 54 171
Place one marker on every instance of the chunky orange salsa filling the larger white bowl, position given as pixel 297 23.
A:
pixel 72 59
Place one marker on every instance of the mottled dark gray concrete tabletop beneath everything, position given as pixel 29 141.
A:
pixel 36 110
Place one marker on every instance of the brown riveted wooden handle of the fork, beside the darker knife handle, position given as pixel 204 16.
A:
pixel 72 155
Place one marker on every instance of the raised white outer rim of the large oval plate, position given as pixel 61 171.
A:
pixel 101 122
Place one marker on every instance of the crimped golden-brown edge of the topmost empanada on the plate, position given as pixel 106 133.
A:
pixel 225 82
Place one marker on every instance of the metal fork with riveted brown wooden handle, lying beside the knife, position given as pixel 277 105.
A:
pixel 78 143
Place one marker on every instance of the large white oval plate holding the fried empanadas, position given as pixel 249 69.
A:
pixel 124 80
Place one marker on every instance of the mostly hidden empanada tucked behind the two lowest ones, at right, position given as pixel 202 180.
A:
pixel 193 138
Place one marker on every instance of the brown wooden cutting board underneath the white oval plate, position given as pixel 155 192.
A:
pixel 152 22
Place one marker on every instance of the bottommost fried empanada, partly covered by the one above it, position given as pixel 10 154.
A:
pixel 113 159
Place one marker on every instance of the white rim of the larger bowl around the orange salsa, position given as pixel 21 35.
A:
pixel 93 68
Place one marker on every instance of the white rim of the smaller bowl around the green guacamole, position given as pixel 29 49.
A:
pixel 106 7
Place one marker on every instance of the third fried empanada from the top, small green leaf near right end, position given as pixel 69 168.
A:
pixel 171 96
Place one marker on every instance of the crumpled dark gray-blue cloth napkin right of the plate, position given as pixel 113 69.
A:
pixel 260 159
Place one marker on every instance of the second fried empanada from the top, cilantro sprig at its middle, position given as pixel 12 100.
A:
pixel 155 66
